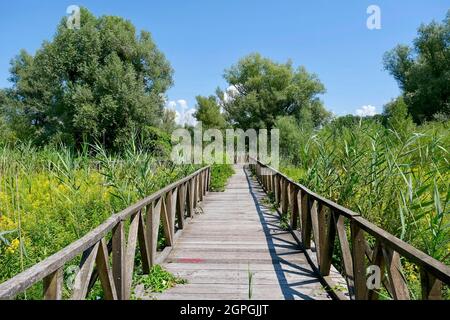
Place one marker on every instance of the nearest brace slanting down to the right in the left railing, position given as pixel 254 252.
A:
pixel 105 273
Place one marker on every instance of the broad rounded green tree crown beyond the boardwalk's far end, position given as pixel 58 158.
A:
pixel 266 90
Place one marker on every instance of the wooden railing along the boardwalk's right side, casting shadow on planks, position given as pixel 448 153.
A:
pixel 321 222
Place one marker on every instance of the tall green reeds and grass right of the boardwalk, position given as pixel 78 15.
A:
pixel 400 182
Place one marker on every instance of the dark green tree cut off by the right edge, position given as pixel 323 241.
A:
pixel 423 71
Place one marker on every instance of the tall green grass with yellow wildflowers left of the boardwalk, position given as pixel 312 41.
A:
pixel 51 197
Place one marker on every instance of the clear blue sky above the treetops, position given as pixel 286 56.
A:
pixel 201 38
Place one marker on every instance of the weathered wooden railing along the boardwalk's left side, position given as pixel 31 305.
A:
pixel 171 205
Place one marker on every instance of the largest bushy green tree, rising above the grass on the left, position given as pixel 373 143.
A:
pixel 101 81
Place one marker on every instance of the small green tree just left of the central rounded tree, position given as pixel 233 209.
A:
pixel 208 112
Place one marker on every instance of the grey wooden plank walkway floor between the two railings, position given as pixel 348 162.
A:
pixel 234 239
